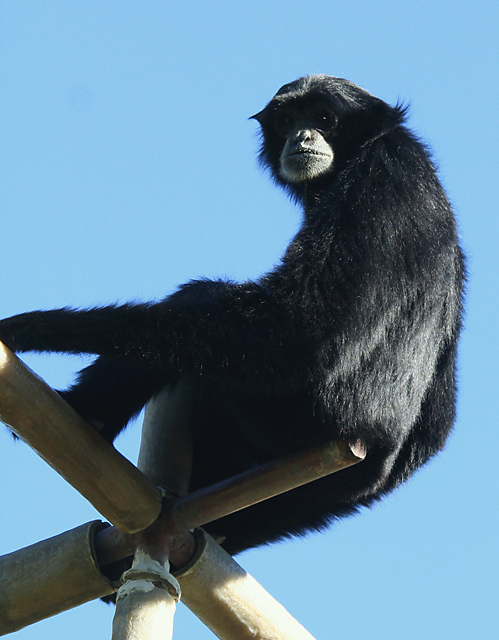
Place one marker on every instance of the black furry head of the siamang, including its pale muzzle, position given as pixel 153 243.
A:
pixel 312 127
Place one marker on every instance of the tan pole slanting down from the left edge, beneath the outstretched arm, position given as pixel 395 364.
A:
pixel 38 415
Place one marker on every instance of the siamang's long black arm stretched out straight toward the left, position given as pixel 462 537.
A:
pixel 234 330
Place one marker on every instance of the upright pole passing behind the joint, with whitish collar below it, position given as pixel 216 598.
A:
pixel 146 601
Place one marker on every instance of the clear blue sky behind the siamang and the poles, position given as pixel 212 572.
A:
pixel 127 166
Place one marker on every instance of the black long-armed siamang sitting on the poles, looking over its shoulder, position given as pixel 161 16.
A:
pixel 352 336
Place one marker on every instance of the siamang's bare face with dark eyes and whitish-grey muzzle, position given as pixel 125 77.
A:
pixel 306 153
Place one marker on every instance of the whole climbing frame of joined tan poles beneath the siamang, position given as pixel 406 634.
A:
pixel 148 523
